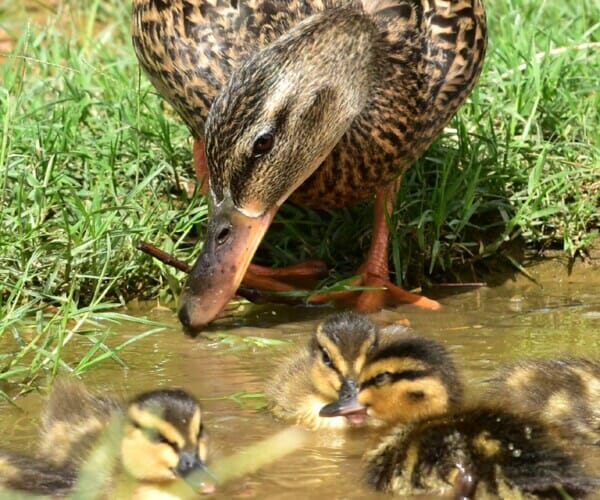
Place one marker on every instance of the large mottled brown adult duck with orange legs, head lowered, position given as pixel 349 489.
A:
pixel 326 103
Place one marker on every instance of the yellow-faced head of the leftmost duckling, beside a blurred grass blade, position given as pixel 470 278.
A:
pixel 164 438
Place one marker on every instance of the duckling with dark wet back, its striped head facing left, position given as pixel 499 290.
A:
pixel 444 448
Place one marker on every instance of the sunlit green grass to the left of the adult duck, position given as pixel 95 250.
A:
pixel 90 164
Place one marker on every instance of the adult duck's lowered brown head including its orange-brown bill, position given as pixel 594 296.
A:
pixel 271 126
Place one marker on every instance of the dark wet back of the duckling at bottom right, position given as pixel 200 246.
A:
pixel 479 453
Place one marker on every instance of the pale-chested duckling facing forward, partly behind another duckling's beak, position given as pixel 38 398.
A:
pixel 326 369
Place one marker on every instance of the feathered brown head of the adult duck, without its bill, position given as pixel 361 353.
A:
pixel 307 88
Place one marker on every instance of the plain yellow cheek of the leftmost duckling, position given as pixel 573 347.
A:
pixel 148 461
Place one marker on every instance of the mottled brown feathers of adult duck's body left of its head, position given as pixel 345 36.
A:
pixel 186 49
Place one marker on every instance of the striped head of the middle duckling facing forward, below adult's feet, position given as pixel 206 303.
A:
pixel 339 349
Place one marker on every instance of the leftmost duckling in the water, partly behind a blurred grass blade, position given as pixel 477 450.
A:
pixel 154 441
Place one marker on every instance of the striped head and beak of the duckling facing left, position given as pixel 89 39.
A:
pixel 405 381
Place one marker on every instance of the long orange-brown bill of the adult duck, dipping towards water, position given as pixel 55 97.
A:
pixel 231 240
